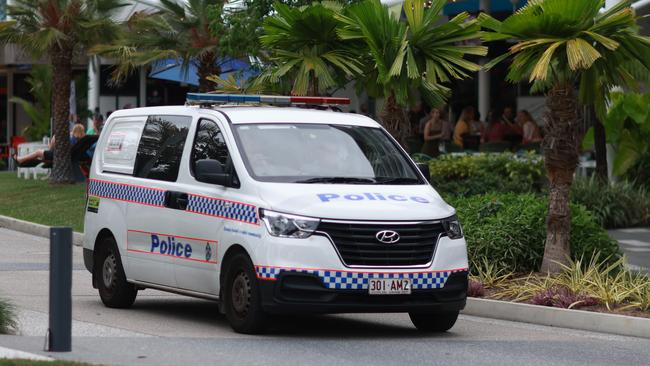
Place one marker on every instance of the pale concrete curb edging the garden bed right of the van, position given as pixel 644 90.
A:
pixel 556 317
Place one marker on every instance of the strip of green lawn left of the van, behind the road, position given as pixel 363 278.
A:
pixel 39 201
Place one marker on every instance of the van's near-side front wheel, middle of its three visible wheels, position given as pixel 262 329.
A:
pixel 241 296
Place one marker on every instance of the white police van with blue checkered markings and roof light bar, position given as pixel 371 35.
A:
pixel 269 210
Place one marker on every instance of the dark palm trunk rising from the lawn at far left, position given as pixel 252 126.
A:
pixel 61 58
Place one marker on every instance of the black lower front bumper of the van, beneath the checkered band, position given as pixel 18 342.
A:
pixel 304 292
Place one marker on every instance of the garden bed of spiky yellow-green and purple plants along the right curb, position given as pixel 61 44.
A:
pixel 590 286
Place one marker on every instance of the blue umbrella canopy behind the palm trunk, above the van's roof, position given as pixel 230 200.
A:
pixel 170 69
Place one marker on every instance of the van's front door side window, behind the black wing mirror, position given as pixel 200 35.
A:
pixel 209 143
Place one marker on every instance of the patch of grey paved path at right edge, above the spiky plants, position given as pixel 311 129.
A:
pixel 635 243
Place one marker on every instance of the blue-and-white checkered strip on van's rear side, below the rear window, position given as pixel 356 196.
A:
pixel 123 192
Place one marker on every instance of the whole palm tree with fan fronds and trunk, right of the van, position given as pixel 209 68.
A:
pixel 559 45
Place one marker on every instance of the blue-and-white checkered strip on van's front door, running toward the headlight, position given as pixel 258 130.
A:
pixel 222 208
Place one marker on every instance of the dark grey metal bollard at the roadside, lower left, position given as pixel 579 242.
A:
pixel 60 329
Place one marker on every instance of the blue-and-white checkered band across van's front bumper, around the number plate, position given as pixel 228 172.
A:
pixel 346 280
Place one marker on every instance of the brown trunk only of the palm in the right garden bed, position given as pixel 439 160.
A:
pixel 561 153
